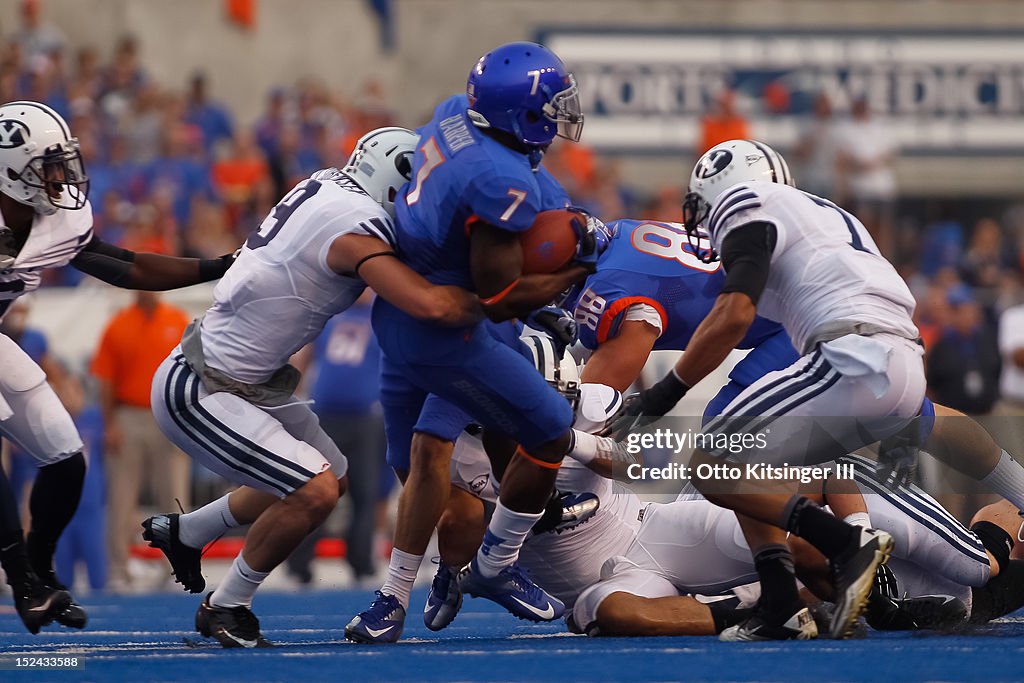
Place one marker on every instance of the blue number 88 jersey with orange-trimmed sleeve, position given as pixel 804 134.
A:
pixel 652 264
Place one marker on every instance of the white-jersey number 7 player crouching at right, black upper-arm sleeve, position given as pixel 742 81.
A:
pixel 849 312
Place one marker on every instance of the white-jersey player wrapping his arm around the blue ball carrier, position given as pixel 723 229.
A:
pixel 226 395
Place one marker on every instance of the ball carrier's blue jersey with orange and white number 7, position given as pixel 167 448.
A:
pixel 459 176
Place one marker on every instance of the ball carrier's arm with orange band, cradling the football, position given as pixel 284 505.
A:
pixel 496 265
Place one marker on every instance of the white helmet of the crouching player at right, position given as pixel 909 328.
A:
pixel 722 167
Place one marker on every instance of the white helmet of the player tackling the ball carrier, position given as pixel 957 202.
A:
pixel 382 162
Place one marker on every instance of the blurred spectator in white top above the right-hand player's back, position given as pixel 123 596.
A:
pixel 867 184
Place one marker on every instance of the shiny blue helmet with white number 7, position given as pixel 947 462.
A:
pixel 526 91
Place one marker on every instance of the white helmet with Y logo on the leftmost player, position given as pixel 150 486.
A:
pixel 40 162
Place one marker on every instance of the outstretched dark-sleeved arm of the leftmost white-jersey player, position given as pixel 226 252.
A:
pixel 147 272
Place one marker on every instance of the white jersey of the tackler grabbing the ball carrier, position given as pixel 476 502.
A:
pixel 280 293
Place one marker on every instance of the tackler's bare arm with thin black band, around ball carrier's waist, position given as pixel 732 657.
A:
pixel 377 265
